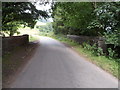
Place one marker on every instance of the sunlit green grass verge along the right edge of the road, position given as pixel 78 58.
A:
pixel 109 65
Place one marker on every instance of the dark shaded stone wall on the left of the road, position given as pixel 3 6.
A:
pixel 9 43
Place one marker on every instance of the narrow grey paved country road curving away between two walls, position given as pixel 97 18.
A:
pixel 57 66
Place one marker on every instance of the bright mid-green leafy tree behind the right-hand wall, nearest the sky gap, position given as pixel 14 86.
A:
pixel 72 17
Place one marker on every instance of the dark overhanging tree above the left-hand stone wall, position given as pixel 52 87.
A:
pixel 15 13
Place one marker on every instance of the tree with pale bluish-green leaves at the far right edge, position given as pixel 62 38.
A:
pixel 108 17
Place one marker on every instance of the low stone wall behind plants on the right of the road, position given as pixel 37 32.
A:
pixel 100 41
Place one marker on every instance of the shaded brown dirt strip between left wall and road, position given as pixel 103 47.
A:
pixel 14 62
